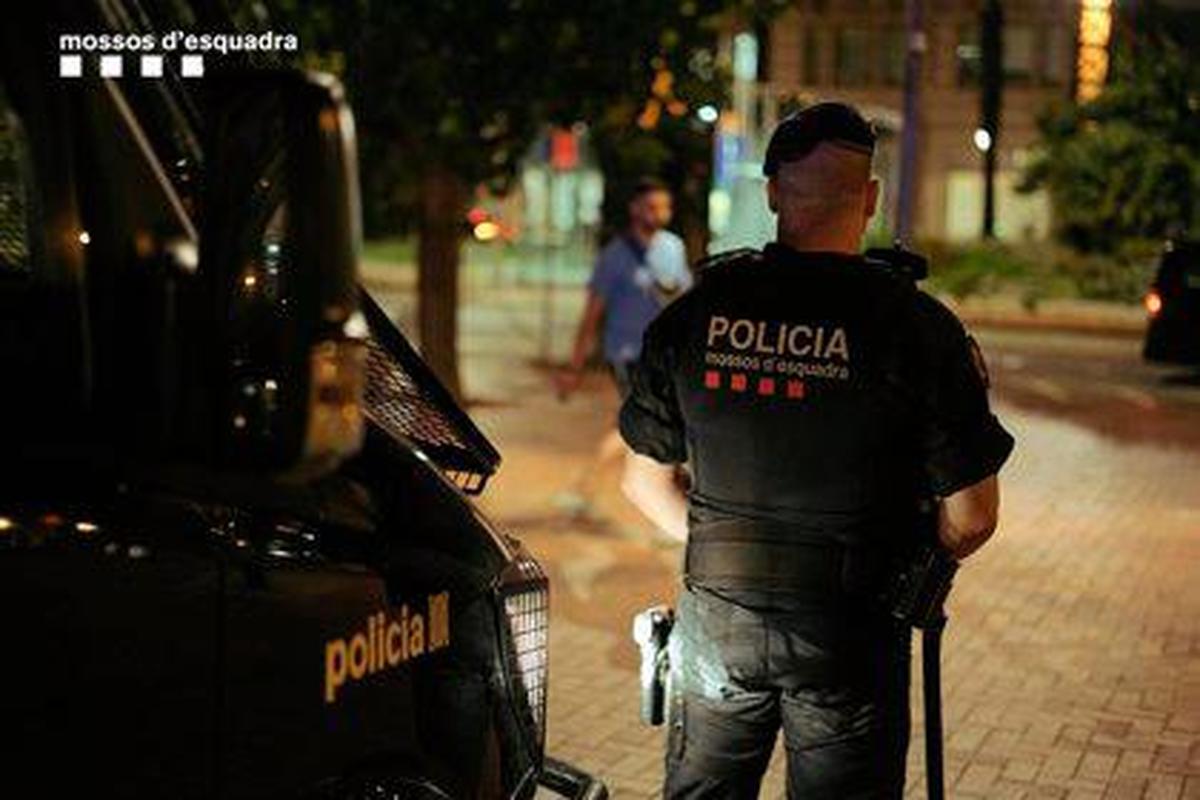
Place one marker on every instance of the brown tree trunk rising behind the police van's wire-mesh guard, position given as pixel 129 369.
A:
pixel 440 233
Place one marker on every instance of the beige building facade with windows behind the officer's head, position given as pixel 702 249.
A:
pixel 855 51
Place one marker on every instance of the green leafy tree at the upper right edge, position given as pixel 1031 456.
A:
pixel 1126 166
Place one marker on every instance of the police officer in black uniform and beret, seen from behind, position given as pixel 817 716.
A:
pixel 819 400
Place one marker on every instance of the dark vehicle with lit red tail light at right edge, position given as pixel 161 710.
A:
pixel 1174 306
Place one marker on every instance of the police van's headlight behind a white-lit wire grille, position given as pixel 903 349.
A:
pixel 526 596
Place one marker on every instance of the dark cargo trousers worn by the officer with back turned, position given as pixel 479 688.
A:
pixel 835 679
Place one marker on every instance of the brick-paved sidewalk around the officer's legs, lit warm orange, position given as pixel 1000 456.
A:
pixel 1073 655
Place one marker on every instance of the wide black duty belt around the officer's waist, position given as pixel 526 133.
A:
pixel 784 558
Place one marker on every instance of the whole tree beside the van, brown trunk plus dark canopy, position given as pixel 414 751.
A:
pixel 451 95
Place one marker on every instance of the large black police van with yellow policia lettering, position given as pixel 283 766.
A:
pixel 238 555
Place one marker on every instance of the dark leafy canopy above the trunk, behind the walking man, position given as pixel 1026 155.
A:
pixel 469 85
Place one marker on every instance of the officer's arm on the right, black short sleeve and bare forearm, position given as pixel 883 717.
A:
pixel 964 443
